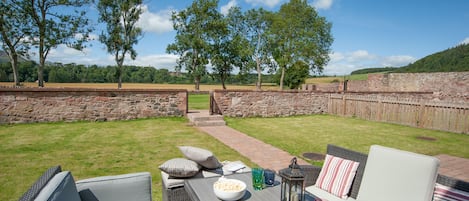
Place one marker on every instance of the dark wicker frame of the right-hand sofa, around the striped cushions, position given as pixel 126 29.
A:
pixel 312 172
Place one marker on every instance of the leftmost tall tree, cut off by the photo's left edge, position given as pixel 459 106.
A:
pixel 15 28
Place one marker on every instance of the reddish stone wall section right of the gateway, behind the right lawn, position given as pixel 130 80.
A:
pixel 270 103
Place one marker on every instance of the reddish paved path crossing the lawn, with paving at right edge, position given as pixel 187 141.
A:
pixel 270 157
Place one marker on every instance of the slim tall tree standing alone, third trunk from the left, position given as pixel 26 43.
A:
pixel 122 32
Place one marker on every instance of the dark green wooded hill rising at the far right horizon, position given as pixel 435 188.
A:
pixel 454 59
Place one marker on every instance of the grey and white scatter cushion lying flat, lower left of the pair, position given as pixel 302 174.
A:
pixel 180 168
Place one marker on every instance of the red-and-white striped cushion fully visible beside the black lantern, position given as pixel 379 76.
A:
pixel 337 175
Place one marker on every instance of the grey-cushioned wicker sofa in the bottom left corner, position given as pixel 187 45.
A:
pixel 58 185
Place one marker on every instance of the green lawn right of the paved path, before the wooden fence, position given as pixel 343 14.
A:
pixel 301 134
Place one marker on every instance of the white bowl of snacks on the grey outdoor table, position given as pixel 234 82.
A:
pixel 229 189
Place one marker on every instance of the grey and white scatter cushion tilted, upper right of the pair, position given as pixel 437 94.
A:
pixel 203 157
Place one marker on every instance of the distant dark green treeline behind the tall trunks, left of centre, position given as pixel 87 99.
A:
pixel 77 73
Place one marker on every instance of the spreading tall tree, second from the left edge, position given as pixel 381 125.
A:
pixel 55 23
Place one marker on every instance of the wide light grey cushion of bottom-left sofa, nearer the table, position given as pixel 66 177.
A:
pixel 135 186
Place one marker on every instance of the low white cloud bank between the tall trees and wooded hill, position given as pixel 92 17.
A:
pixel 345 63
